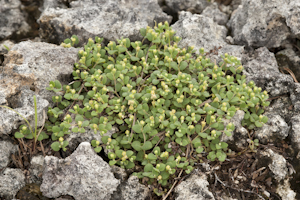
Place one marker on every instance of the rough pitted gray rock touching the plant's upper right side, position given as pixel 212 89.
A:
pixel 262 68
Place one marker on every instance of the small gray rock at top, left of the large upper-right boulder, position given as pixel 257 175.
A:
pixel 214 13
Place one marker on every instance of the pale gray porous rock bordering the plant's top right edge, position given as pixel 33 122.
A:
pixel 201 31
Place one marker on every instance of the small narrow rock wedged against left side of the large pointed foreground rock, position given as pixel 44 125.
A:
pixel 36 169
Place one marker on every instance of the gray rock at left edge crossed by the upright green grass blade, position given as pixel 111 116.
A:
pixel 22 103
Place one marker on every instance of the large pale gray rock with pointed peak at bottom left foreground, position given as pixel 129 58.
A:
pixel 83 175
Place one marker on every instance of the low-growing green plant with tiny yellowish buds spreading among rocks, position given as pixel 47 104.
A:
pixel 170 104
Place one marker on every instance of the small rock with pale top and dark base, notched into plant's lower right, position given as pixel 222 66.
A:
pixel 238 139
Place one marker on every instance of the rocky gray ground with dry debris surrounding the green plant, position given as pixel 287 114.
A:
pixel 264 34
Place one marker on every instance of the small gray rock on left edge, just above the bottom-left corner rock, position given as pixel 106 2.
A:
pixel 6 149
